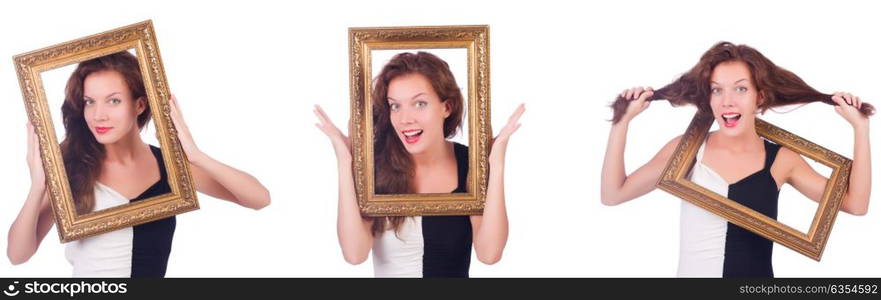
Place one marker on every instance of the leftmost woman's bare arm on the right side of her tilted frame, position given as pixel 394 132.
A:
pixel 215 178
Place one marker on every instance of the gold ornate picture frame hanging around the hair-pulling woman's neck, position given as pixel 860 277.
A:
pixel 811 244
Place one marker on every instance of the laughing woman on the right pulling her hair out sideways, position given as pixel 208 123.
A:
pixel 734 83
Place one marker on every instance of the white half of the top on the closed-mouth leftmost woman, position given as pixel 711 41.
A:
pixel 105 255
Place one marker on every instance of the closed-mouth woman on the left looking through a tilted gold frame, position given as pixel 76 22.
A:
pixel 108 164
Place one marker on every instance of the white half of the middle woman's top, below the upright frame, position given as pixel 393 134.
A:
pixel 399 255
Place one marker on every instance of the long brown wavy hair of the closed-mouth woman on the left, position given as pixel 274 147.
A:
pixel 81 152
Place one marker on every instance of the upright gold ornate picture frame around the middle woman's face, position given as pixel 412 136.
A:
pixel 473 39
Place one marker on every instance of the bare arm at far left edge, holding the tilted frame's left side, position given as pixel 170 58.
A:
pixel 35 218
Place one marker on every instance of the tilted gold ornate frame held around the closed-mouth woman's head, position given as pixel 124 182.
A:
pixel 139 39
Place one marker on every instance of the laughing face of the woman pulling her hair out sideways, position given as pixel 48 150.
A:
pixel 734 98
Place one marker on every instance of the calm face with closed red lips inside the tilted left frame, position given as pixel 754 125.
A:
pixel 109 110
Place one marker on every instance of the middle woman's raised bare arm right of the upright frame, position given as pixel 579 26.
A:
pixel 490 230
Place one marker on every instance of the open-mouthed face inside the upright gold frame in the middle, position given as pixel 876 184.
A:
pixel 417 112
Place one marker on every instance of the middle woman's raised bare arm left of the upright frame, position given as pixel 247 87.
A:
pixel 353 231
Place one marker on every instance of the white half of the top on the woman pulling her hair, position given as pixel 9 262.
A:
pixel 702 234
